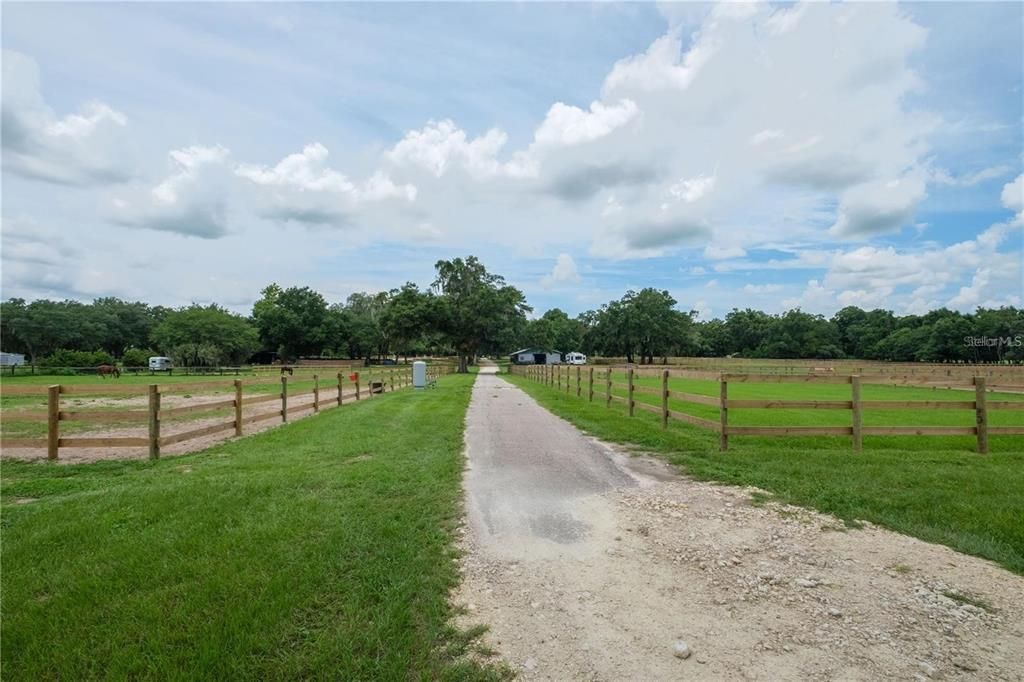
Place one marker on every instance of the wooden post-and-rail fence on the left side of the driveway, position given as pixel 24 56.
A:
pixel 346 387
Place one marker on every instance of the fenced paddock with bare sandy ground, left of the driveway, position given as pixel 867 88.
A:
pixel 126 417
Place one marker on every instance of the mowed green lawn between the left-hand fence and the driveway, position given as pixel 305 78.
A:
pixel 318 550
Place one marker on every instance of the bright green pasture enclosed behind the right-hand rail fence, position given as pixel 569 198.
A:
pixel 825 403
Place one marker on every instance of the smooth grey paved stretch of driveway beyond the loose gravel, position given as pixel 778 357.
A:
pixel 534 480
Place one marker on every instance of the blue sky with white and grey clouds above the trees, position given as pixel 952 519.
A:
pixel 759 155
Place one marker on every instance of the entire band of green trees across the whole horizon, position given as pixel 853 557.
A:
pixel 467 311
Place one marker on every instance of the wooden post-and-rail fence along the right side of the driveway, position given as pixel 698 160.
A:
pixel 590 382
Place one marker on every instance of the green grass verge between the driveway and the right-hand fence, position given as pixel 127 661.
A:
pixel 932 488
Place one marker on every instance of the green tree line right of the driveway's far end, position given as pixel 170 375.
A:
pixel 646 325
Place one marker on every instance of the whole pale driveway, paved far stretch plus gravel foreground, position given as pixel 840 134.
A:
pixel 589 564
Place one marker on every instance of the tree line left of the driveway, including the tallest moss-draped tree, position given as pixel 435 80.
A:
pixel 465 312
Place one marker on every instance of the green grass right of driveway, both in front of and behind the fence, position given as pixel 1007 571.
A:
pixel 934 488
